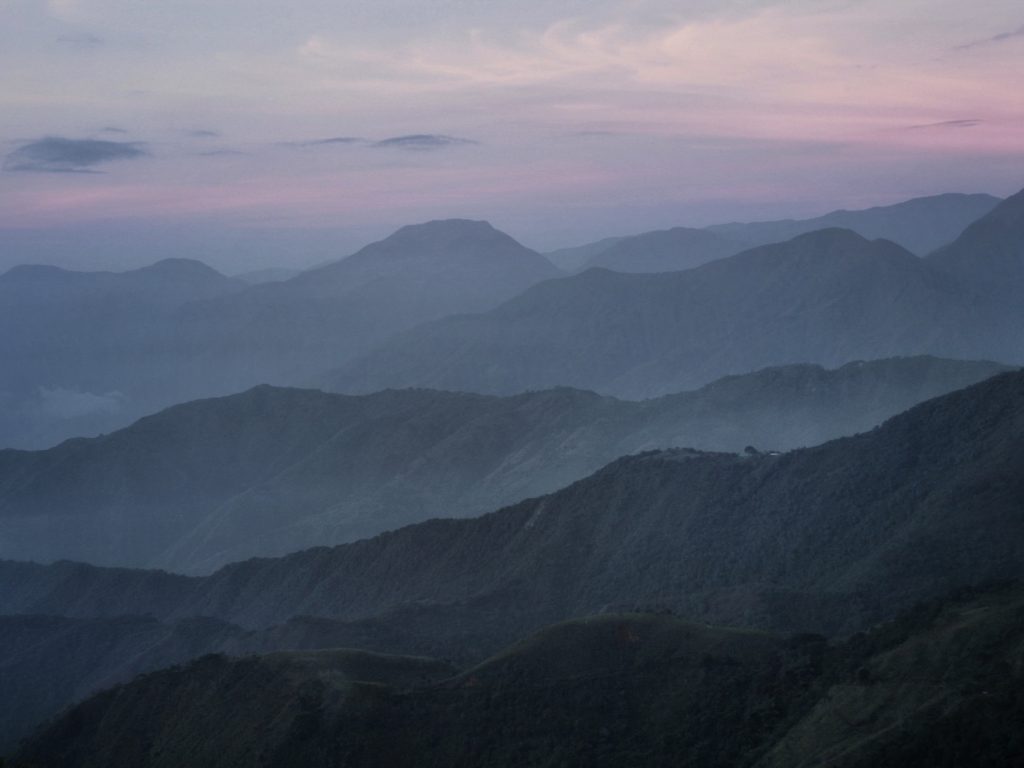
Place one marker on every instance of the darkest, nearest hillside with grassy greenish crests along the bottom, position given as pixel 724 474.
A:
pixel 940 688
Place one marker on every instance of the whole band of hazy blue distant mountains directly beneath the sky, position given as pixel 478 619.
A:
pixel 91 353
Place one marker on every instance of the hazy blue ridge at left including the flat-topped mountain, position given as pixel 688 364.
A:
pixel 90 353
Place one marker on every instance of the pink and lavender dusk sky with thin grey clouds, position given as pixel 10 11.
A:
pixel 255 134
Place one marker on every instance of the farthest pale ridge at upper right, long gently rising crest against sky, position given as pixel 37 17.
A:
pixel 921 225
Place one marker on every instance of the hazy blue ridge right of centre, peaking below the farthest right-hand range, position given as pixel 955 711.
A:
pixel 828 297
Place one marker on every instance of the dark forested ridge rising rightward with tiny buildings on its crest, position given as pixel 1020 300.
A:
pixel 831 539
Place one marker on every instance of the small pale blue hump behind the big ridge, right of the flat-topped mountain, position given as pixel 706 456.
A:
pixel 666 251
